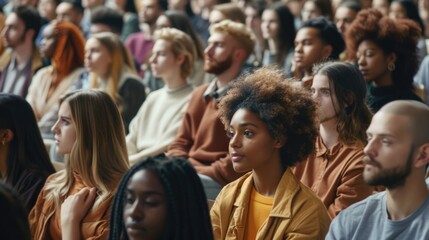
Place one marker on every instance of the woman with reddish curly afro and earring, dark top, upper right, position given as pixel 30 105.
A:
pixel 386 52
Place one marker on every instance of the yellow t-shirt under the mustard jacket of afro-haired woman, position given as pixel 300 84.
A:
pixel 259 210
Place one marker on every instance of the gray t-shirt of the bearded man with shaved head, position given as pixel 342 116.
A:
pixel 368 219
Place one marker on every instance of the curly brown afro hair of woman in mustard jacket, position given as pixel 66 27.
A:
pixel 288 112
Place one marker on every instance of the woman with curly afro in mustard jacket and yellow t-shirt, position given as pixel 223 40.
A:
pixel 271 126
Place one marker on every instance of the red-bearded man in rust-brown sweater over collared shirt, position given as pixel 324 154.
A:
pixel 202 138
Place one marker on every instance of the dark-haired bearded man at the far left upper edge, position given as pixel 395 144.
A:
pixel 19 33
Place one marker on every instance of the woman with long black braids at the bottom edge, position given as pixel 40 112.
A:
pixel 160 198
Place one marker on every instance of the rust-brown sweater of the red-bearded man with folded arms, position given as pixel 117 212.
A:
pixel 202 139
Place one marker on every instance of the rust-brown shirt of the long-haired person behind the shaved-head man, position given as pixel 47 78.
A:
pixel 335 175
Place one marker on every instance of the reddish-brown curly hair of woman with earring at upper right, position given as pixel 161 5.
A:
pixel 392 36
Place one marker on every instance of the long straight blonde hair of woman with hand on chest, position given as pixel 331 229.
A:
pixel 99 154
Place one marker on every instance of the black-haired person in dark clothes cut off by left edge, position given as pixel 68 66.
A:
pixel 24 162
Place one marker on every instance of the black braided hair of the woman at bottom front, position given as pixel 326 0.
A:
pixel 187 203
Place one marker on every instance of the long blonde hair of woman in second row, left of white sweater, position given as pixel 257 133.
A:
pixel 121 61
